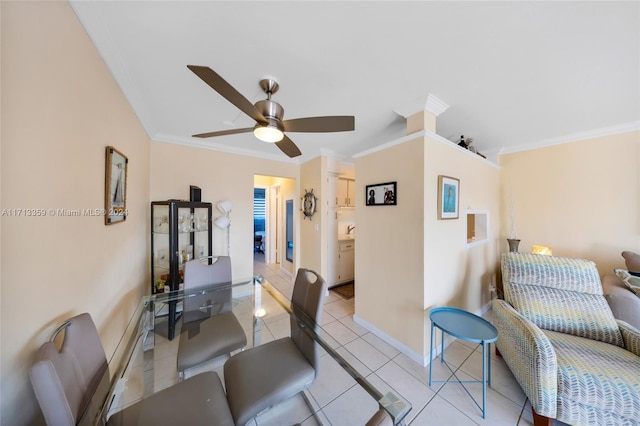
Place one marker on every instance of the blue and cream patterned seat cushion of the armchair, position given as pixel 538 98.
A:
pixel 601 377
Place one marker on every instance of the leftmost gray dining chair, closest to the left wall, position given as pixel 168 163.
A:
pixel 72 384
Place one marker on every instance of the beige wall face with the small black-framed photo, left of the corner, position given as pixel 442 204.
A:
pixel 389 263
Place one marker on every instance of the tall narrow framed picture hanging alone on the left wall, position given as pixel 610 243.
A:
pixel 115 188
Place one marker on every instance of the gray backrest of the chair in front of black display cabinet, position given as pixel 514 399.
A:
pixel 200 275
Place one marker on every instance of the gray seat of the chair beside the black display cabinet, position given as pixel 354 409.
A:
pixel 201 341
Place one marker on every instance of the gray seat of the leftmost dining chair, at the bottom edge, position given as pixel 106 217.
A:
pixel 201 401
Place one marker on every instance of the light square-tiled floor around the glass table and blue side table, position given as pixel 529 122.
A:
pixel 388 369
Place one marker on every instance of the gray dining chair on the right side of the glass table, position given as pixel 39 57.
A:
pixel 265 375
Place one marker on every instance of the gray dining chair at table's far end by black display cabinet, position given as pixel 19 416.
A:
pixel 209 327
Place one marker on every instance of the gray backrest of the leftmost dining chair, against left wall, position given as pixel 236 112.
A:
pixel 66 381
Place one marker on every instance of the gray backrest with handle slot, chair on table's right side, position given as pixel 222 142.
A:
pixel 307 300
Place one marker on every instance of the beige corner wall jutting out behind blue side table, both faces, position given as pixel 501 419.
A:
pixel 408 261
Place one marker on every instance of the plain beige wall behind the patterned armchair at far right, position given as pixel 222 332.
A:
pixel 580 198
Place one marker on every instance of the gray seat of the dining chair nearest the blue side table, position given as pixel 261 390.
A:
pixel 282 371
